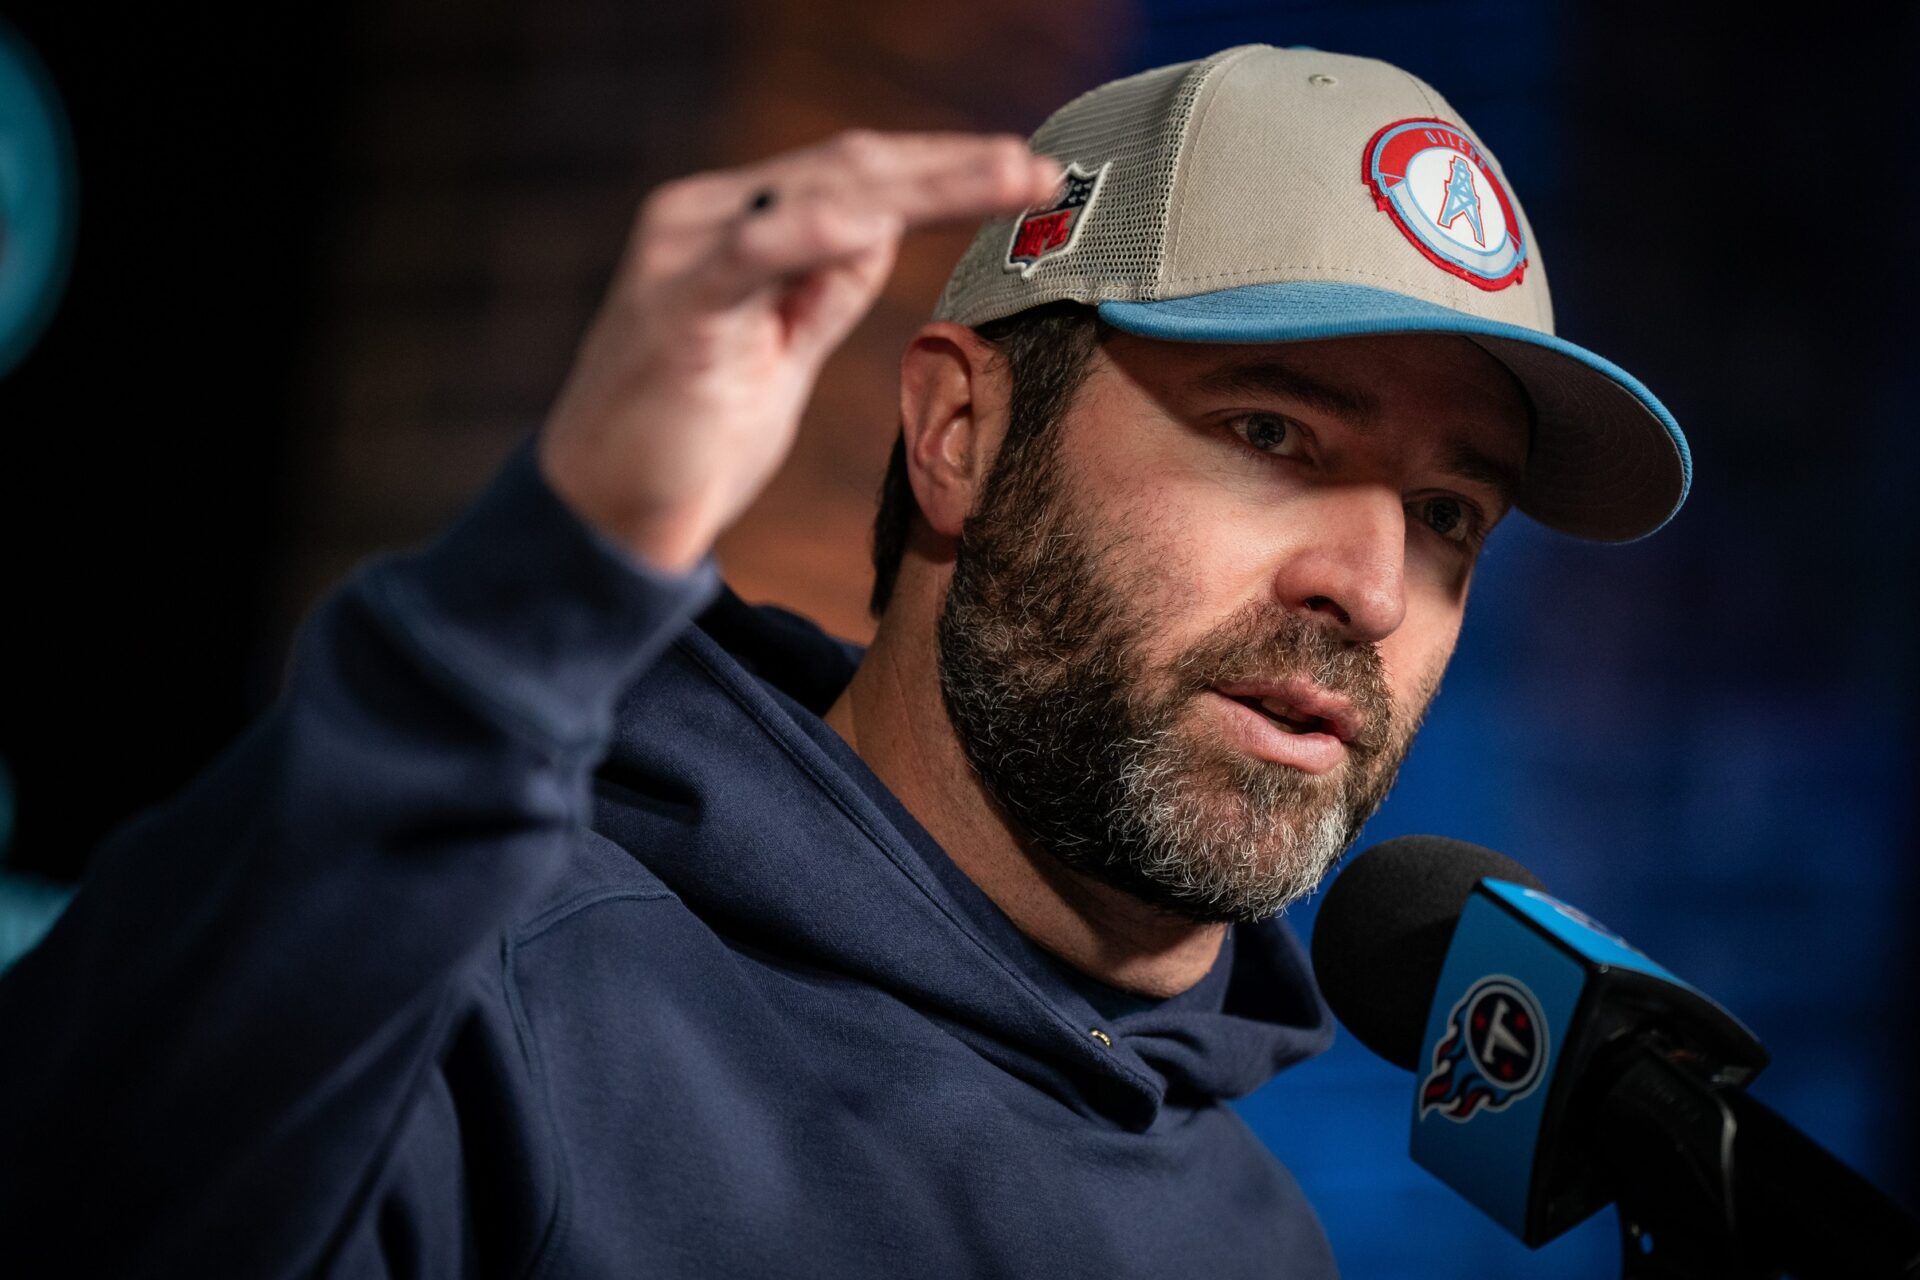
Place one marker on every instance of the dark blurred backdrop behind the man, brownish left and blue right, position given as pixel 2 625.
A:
pixel 331 266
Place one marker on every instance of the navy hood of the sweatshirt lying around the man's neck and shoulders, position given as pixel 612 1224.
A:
pixel 727 784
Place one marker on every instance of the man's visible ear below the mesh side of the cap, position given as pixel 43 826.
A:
pixel 953 417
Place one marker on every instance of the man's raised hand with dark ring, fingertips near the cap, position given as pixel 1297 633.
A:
pixel 732 291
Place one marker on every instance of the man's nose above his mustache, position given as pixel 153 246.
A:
pixel 1351 563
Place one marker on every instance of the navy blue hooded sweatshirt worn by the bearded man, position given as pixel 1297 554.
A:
pixel 542 928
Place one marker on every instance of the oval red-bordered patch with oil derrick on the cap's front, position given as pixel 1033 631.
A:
pixel 1443 195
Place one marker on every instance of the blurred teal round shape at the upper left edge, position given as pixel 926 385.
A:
pixel 37 199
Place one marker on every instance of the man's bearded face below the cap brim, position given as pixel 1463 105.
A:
pixel 1193 628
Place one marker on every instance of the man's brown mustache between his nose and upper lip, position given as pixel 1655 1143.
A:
pixel 1278 644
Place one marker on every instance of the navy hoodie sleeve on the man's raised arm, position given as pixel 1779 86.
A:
pixel 204 1062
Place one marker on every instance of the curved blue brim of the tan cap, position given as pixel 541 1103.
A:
pixel 1608 462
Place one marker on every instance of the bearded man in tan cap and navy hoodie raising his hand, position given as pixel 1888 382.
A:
pixel 569 916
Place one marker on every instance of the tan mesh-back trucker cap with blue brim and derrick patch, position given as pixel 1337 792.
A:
pixel 1284 195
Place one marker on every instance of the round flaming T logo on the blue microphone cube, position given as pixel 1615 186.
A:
pixel 1493 1055
